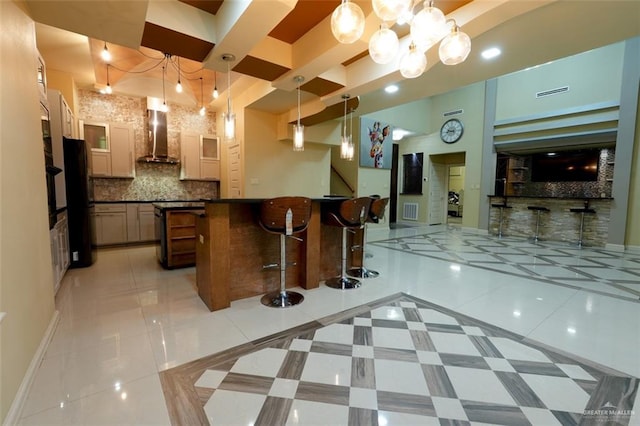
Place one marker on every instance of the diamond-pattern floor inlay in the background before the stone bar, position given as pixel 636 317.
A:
pixel 590 269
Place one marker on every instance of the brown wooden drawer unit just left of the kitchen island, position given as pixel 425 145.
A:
pixel 181 237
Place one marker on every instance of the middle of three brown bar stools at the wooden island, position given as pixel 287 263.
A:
pixel 351 215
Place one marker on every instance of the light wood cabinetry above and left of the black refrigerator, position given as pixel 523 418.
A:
pixel 62 124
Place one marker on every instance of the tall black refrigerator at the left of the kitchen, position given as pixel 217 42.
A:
pixel 82 247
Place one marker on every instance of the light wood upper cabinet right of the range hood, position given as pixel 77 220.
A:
pixel 200 157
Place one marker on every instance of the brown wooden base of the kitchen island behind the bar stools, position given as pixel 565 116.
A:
pixel 232 249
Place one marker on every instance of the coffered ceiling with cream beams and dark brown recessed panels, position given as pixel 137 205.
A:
pixel 275 40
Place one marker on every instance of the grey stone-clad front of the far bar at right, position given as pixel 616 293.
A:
pixel 557 225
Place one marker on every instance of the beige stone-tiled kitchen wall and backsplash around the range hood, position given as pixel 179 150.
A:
pixel 152 181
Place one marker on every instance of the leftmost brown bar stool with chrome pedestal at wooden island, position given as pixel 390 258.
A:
pixel 284 216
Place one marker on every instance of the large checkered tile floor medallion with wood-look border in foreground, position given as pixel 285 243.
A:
pixel 396 361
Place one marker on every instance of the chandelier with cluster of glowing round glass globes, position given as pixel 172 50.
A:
pixel 427 24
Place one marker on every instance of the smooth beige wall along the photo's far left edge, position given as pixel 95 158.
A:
pixel 26 281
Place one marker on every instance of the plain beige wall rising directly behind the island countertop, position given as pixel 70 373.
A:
pixel 273 169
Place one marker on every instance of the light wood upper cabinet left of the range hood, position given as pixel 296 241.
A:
pixel 112 148
